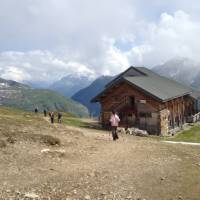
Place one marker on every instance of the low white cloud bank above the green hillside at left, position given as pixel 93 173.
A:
pixel 38 66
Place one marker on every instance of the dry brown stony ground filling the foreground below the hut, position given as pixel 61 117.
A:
pixel 55 162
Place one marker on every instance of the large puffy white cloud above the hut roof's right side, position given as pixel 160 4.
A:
pixel 174 35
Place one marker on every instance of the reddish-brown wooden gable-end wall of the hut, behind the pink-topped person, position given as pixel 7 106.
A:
pixel 134 107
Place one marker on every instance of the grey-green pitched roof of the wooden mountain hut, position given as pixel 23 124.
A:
pixel 159 87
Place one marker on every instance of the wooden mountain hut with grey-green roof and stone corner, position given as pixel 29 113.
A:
pixel 148 101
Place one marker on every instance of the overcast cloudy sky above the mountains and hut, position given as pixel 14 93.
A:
pixel 44 40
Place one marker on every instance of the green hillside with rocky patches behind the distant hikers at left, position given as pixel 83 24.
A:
pixel 21 96
